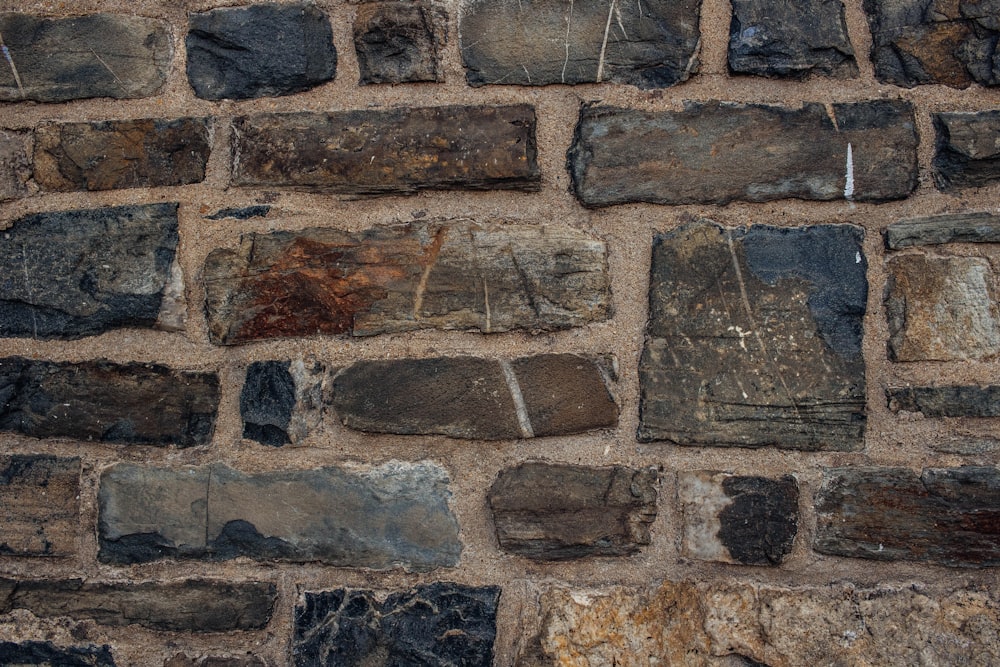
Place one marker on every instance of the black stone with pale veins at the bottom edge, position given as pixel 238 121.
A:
pixel 436 624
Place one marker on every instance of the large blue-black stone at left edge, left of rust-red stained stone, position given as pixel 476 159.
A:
pixel 70 274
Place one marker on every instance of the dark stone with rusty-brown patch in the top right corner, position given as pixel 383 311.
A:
pixel 951 43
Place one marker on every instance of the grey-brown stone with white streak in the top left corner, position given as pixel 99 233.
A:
pixel 99 55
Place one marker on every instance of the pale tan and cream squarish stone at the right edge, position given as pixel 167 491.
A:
pixel 941 308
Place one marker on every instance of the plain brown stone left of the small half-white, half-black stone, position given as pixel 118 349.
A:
pixel 555 512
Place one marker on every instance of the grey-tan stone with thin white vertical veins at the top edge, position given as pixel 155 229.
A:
pixel 649 45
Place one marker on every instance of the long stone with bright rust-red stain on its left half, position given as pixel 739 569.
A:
pixel 438 274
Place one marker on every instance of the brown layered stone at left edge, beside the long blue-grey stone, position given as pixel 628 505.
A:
pixel 39 505
